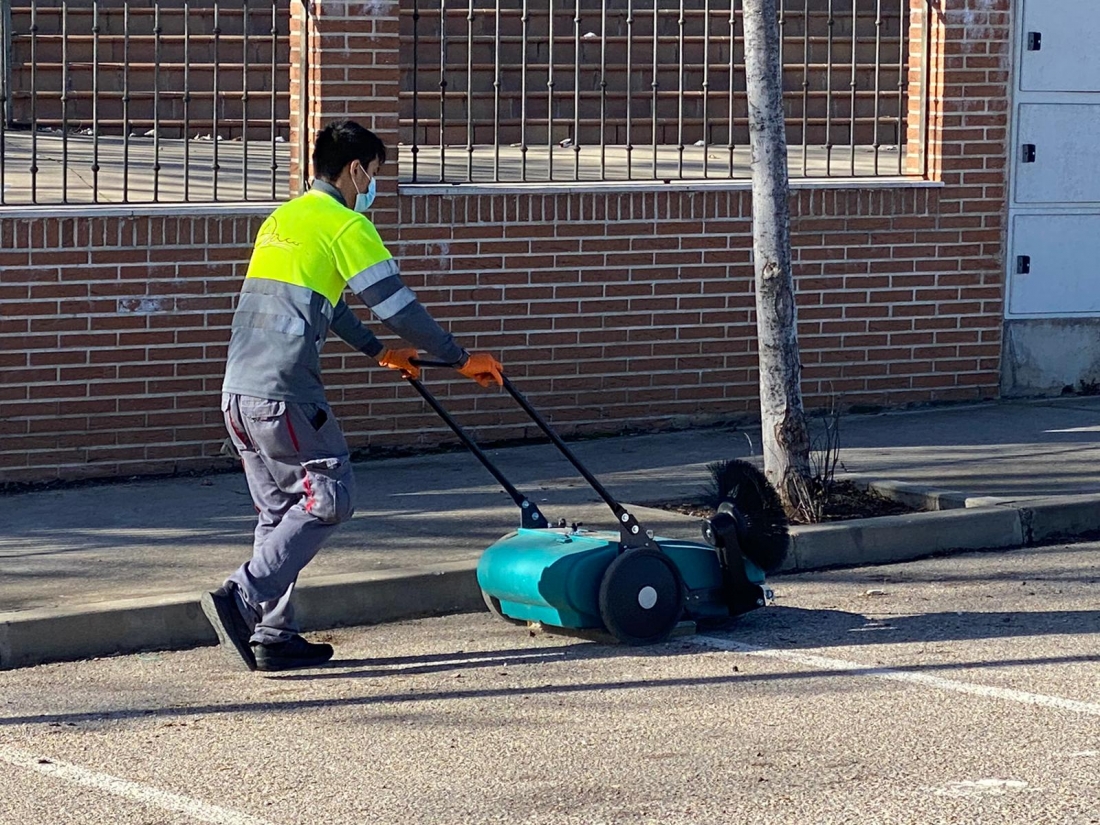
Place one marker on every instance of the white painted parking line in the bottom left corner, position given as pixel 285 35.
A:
pixel 133 791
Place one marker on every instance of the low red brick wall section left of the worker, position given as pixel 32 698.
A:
pixel 111 335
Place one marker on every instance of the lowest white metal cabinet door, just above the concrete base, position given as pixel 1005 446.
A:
pixel 1055 266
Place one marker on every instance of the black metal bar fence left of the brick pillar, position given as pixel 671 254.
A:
pixel 129 102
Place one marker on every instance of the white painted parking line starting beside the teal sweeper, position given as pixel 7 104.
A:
pixel 903 676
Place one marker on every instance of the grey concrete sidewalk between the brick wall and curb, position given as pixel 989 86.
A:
pixel 76 552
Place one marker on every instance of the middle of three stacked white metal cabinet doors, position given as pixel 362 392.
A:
pixel 1057 159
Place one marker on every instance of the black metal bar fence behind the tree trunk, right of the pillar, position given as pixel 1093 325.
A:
pixel 530 91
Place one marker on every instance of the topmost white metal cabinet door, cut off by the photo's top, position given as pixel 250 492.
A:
pixel 1059 52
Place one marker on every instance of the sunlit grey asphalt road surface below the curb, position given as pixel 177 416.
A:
pixel 953 690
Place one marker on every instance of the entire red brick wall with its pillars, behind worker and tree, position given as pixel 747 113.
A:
pixel 613 310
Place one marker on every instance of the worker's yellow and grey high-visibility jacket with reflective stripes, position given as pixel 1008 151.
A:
pixel 306 254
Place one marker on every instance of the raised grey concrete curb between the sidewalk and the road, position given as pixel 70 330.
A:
pixel 36 637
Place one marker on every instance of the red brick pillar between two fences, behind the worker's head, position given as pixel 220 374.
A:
pixel 353 62
